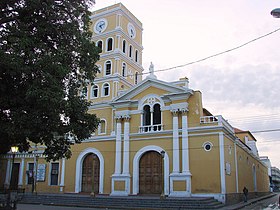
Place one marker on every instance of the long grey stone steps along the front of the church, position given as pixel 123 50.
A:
pixel 122 202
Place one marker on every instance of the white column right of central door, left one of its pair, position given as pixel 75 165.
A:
pixel 175 142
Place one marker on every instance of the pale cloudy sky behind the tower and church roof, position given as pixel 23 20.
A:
pixel 243 84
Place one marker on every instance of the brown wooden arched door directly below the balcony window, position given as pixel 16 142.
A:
pixel 151 173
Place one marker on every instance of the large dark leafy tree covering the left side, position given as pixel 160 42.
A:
pixel 46 58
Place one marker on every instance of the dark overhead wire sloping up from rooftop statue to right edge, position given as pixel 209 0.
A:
pixel 217 54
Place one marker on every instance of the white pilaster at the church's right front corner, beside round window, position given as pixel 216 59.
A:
pixel 222 163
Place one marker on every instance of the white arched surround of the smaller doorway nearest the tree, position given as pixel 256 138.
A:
pixel 79 169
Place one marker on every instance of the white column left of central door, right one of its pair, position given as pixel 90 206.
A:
pixel 126 147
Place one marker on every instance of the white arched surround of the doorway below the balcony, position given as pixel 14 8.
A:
pixel 136 161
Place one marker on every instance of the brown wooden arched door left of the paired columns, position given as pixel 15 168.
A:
pixel 90 174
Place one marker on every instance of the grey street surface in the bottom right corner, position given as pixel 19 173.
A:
pixel 267 204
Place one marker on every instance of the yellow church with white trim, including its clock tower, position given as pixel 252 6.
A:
pixel 155 138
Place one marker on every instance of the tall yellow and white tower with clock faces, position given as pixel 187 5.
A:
pixel 118 33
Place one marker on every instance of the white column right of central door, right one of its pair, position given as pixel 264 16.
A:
pixel 185 143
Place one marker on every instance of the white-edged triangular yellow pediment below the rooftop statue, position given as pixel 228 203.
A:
pixel 157 86
